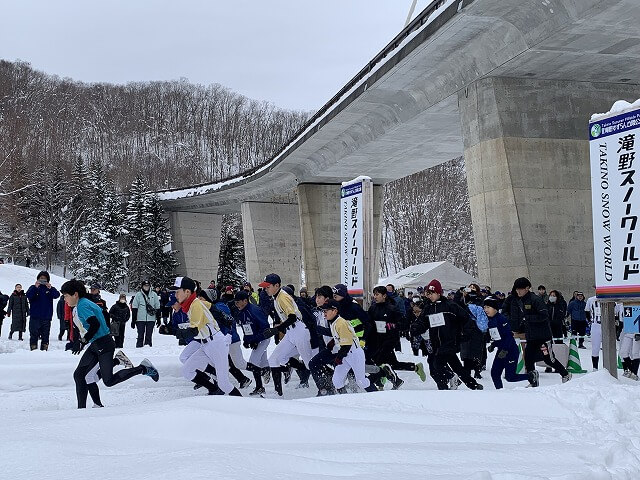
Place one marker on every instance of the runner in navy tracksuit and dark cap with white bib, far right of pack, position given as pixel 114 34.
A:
pixel 506 359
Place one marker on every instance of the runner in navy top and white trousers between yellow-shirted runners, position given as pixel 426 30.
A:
pixel 253 322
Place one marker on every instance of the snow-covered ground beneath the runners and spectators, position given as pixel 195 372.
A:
pixel 588 428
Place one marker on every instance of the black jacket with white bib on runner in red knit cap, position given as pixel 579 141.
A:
pixel 445 339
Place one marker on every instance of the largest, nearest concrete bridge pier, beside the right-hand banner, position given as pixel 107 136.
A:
pixel 526 151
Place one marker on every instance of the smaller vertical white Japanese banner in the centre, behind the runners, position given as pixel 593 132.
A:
pixel 356 216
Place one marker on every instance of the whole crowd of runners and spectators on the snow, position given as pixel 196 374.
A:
pixel 326 337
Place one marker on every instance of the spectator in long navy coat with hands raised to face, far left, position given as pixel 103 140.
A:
pixel 41 297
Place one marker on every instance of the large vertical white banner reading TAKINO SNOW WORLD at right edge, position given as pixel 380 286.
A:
pixel 615 188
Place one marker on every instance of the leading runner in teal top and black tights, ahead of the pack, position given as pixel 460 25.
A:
pixel 94 331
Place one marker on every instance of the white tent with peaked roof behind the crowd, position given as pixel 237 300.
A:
pixel 450 276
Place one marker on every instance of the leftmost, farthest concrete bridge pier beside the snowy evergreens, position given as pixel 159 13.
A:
pixel 196 237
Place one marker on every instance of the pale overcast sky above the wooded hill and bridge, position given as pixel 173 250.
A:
pixel 294 53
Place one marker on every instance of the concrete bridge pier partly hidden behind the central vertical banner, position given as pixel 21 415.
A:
pixel 319 213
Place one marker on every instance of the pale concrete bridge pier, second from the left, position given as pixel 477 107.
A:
pixel 271 241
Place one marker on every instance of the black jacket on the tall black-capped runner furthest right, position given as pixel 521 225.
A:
pixel 531 316
